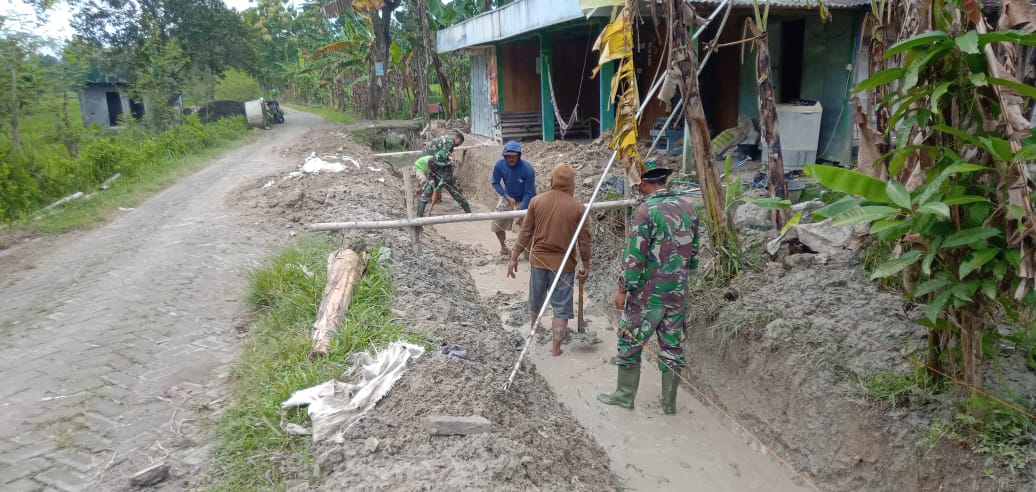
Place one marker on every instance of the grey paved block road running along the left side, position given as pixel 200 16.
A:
pixel 111 340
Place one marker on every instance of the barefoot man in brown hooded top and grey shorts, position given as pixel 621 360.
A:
pixel 550 225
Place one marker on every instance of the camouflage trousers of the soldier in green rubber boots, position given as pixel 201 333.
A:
pixel 640 323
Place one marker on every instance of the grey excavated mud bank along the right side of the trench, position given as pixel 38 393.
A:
pixel 790 356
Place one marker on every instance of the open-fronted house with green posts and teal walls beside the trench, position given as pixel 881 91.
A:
pixel 532 63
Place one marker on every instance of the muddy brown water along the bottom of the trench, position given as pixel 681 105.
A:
pixel 695 450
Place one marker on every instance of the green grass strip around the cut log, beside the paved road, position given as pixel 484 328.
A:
pixel 253 452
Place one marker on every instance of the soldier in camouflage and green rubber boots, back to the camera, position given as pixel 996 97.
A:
pixel 659 257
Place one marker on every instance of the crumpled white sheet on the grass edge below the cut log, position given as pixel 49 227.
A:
pixel 335 407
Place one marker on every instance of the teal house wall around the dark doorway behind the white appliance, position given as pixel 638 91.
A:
pixel 828 50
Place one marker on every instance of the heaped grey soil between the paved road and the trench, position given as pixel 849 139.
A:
pixel 536 444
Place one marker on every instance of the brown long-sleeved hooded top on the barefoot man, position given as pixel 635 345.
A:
pixel 552 221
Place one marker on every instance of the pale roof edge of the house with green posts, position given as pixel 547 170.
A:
pixel 524 17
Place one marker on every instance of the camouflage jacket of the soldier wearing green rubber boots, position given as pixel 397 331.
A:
pixel 661 251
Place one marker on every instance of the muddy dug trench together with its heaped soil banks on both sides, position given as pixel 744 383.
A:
pixel 776 410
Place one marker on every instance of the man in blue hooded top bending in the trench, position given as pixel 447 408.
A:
pixel 514 180
